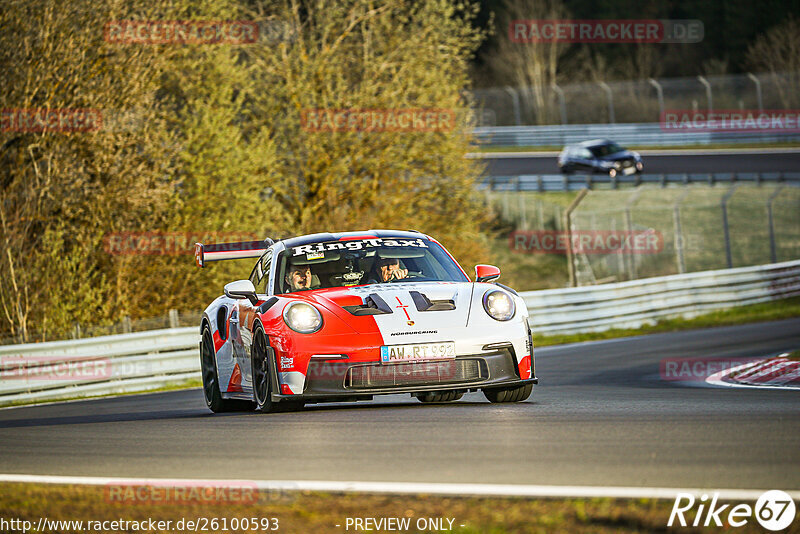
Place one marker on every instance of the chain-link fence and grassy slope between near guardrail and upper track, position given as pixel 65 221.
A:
pixel 652 231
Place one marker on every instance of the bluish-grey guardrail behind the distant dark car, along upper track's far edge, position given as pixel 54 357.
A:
pixel 638 134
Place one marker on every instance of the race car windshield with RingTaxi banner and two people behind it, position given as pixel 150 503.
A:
pixel 363 261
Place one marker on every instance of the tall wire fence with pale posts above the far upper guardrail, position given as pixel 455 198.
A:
pixel 636 101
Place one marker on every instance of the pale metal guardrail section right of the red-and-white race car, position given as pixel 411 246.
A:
pixel 638 302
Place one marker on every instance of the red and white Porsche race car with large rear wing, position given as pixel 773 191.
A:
pixel 343 317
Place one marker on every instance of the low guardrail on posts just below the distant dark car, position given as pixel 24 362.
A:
pixel 542 183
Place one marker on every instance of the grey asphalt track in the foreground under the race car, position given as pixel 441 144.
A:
pixel 601 416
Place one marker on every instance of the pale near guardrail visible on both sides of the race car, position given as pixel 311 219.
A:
pixel 148 360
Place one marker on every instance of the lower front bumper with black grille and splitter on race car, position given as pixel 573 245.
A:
pixel 341 379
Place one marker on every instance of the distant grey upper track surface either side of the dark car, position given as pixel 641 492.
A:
pixel 661 163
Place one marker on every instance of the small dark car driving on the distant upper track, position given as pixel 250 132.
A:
pixel 599 155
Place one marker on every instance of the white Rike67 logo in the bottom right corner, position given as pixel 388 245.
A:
pixel 774 510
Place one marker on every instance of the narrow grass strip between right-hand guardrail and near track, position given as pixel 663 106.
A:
pixel 754 313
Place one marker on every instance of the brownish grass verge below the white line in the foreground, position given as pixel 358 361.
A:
pixel 322 512
